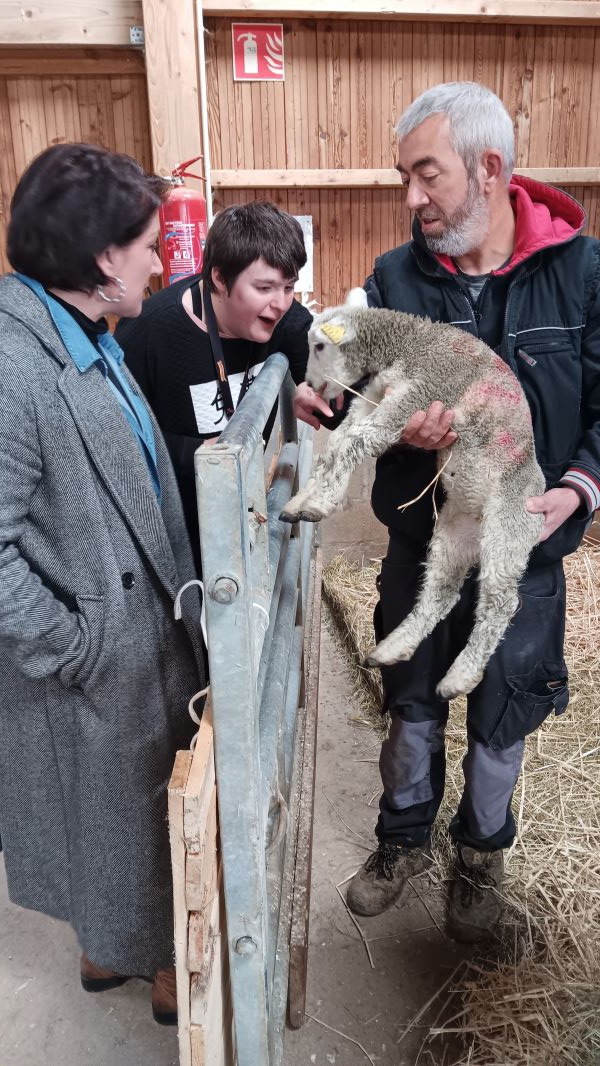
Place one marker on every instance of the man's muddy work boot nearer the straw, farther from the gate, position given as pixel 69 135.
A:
pixel 476 900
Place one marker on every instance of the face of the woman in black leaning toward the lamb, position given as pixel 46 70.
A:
pixel 260 298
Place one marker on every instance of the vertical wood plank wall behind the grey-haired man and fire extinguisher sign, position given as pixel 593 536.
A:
pixel 346 85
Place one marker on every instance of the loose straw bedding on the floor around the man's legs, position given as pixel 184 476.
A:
pixel 540 1004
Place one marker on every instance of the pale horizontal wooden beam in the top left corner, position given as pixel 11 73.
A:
pixel 66 23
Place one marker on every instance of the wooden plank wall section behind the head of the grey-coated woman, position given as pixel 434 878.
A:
pixel 50 95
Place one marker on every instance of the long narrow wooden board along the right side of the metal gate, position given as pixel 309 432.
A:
pixel 301 901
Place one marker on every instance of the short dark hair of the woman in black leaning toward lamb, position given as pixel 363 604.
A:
pixel 239 236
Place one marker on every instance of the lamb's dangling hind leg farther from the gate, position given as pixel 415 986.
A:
pixel 509 535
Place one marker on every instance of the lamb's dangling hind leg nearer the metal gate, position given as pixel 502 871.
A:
pixel 453 552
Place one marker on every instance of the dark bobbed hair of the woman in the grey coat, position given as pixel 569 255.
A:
pixel 74 202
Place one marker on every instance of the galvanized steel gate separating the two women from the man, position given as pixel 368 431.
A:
pixel 256 573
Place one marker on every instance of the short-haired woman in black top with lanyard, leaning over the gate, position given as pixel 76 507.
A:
pixel 223 322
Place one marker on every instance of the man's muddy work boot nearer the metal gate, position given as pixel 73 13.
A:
pixel 382 880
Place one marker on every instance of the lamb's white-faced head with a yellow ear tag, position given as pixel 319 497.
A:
pixel 334 354
